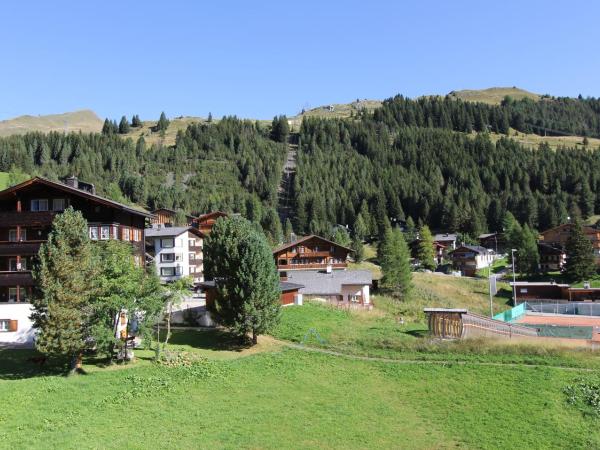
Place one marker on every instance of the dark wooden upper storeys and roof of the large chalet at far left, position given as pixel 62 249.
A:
pixel 26 214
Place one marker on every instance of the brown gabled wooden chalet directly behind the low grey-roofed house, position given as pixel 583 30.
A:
pixel 311 252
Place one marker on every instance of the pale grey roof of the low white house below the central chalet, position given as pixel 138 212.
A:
pixel 321 283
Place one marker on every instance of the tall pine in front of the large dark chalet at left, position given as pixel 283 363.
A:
pixel 65 274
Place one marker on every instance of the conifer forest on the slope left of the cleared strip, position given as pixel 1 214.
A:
pixel 232 165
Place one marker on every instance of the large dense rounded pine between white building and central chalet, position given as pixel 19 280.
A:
pixel 247 296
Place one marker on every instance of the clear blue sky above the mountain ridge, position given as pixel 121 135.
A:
pixel 257 59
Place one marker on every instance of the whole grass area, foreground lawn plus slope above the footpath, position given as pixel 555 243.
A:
pixel 426 394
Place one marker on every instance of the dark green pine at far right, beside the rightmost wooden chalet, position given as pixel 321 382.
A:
pixel 580 254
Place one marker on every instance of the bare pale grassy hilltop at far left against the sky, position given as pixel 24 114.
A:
pixel 85 120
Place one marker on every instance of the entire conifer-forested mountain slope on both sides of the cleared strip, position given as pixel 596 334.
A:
pixel 430 160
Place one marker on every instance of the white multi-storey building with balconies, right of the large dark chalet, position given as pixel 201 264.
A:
pixel 176 252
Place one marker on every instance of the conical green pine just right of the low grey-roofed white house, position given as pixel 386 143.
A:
pixel 395 263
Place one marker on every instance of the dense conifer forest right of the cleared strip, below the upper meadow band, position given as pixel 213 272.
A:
pixel 363 171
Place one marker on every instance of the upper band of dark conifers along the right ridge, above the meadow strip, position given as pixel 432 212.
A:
pixel 548 116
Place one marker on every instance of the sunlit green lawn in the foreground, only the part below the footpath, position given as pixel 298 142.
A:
pixel 286 398
